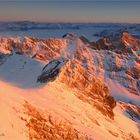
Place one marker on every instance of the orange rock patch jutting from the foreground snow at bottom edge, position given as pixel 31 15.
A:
pixel 45 127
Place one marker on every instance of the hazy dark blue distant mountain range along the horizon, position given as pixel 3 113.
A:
pixel 28 25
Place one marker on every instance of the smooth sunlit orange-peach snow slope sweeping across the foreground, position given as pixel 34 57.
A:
pixel 66 106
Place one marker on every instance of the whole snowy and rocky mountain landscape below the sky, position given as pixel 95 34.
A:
pixel 81 84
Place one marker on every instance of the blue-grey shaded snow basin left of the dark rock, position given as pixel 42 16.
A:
pixel 21 71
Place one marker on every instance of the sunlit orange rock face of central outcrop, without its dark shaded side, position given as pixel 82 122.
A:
pixel 90 88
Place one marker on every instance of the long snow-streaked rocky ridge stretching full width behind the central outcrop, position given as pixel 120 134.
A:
pixel 98 57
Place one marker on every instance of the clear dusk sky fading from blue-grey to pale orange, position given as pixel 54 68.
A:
pixel 71 11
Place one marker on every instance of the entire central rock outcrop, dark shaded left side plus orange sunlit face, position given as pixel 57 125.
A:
pixel 89 88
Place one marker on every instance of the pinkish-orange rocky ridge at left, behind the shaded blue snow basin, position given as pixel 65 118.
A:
pixel 41 49
